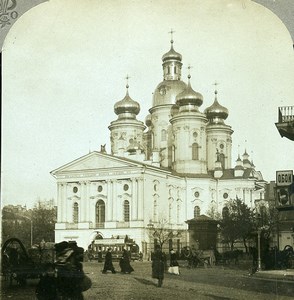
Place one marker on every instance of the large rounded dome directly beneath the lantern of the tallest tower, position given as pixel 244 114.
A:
pixel 167 91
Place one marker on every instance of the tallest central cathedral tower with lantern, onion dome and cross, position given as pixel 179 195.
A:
pixel 163 99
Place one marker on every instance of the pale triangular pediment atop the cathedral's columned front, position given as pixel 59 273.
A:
pixel 94 161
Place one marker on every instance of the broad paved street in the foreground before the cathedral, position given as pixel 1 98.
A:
pixel 218 282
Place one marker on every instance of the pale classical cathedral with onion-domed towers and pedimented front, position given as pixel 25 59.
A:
pixel 175 166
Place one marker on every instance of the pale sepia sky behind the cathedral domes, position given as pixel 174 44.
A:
pixel 65 63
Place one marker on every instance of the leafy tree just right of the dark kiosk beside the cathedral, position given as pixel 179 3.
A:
pixel 237 222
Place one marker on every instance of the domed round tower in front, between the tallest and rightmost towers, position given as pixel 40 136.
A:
pixel 188 124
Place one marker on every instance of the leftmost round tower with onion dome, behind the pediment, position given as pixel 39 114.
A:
pixel 126 132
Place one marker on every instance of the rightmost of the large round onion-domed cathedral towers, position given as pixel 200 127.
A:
pixel 219 140
